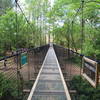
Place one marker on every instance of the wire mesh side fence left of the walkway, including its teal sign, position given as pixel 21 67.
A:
pixel 18 72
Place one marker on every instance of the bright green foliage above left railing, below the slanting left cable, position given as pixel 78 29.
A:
pixel 24 38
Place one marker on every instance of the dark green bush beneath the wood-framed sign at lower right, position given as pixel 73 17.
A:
pixel 84 90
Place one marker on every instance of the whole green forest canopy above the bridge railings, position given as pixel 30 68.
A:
pixel 70 23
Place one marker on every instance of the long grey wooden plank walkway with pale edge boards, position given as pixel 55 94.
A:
pixel 50 83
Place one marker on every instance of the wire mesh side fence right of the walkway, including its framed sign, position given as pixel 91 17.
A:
pixel 76 70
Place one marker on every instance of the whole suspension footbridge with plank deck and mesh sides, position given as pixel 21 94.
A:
pixel 45 73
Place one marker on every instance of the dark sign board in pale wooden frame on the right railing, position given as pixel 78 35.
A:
pixel 90 71
